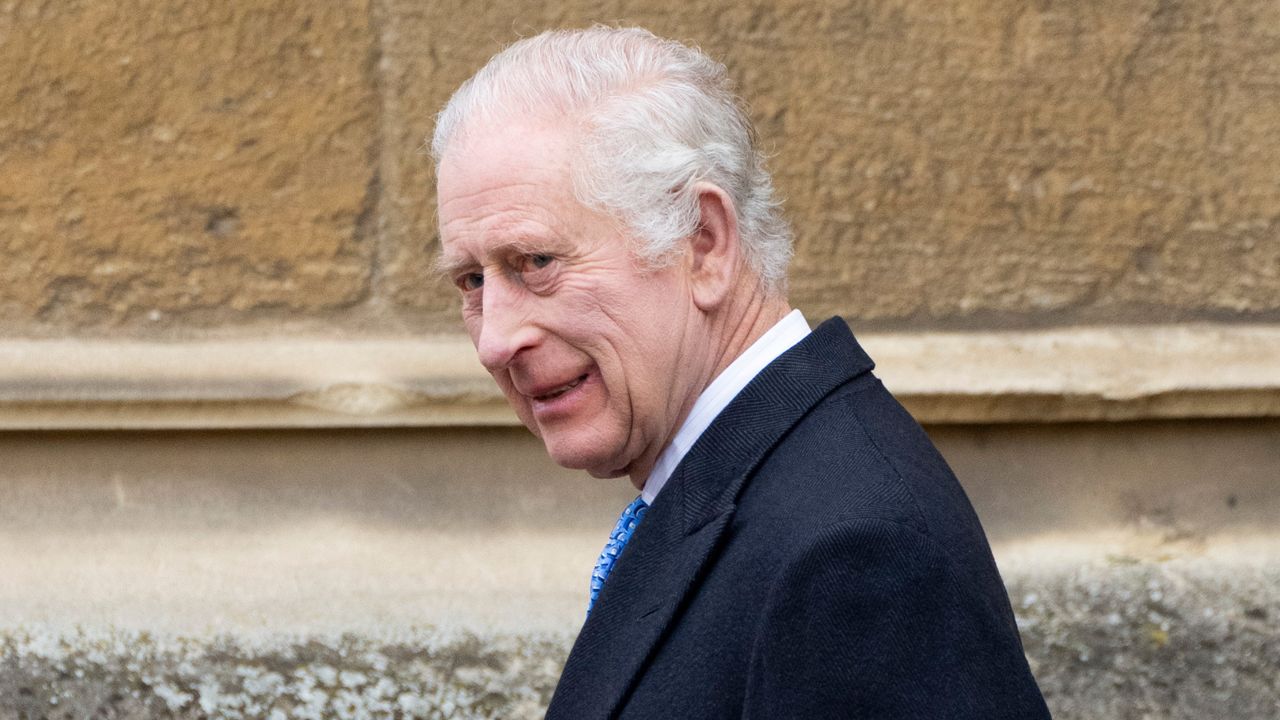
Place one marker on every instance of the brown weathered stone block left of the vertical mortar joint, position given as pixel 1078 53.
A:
pixel 168 165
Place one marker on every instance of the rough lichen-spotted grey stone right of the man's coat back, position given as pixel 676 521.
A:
pixel 1177 639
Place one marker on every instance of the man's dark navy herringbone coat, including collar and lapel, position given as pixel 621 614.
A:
pixel 812 557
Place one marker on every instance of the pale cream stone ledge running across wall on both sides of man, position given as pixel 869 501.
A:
pixel 1117 373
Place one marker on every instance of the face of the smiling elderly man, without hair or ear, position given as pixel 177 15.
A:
pixel 589 347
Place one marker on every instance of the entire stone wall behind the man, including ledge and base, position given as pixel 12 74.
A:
pixel 220 218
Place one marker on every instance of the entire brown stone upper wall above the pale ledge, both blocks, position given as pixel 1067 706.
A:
pixel 172 167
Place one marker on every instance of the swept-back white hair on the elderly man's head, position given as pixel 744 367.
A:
pixel 656 117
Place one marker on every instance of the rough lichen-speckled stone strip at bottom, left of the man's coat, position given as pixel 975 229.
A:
pixel 415 676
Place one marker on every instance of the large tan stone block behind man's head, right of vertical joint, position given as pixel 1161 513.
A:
pixel 980 165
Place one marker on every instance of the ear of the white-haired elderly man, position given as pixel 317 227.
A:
pixel 716 249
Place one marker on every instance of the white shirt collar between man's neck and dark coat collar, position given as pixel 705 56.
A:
pixel 726 386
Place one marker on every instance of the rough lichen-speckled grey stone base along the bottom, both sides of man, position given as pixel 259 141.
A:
pixel 1116 639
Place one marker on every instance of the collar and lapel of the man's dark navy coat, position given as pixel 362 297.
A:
pixel 668 555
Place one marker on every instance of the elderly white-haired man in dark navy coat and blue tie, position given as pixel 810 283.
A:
pixel 798 549
